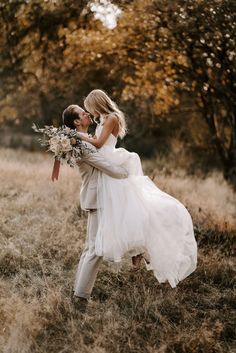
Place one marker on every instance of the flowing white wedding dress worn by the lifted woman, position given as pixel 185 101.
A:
pixel 134 217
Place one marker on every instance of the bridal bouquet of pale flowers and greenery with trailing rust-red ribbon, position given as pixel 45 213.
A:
pixel 64 143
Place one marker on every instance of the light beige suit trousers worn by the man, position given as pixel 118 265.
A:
pixel 89 262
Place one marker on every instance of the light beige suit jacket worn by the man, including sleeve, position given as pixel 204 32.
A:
pixel 89 166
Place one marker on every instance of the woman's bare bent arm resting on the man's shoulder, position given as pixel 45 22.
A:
pixel 108 127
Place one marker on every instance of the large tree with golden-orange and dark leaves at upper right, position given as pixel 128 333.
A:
pixel 175 47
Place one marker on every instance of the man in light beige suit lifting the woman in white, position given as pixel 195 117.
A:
pixel 89 167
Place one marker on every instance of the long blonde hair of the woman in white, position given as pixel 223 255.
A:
pixel 98 101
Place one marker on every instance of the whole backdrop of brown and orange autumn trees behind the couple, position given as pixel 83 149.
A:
pixel 169 65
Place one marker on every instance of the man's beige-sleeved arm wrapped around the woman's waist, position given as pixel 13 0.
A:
pixel 96 160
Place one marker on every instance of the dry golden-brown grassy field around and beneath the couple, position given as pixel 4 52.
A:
pixel 42 232
